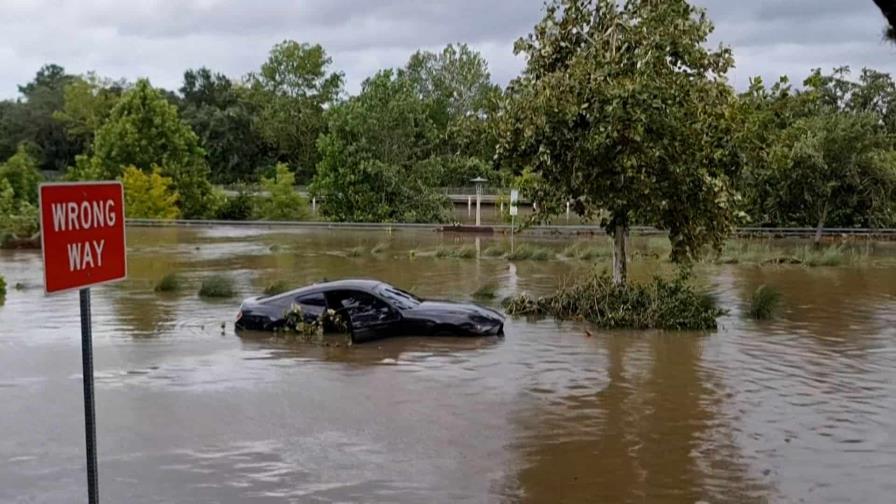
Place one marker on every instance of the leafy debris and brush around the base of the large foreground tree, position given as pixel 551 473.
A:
pixel 658 304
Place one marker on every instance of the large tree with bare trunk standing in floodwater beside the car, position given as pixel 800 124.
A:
pixel 623 110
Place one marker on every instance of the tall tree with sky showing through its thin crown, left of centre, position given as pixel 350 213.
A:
pixel 291 90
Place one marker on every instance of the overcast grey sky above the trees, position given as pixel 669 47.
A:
pixel 159 39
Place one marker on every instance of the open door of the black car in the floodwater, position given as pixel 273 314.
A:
pixel 369 317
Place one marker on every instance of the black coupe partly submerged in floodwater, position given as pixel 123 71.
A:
pixel 370 310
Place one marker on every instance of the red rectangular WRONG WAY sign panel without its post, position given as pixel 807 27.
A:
pixel 82 234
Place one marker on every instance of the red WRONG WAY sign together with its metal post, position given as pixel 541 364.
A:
pixel 83 243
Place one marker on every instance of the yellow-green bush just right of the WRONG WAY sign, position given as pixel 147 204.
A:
pixel 149 195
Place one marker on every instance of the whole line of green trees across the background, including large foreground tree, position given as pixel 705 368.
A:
pixel 622 109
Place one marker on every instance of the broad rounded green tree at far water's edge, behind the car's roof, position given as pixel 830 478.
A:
pixel 372 157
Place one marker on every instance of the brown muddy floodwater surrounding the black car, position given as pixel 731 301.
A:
pixel 800 409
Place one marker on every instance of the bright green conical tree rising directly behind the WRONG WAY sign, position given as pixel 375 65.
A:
pixel 144 131
